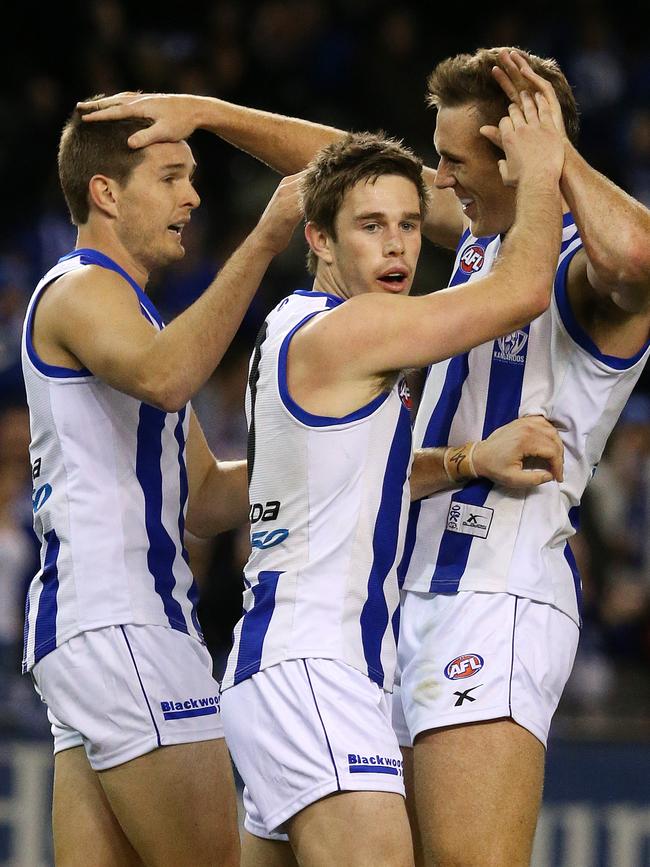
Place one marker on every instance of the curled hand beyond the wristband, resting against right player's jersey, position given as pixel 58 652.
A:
pixel 505 455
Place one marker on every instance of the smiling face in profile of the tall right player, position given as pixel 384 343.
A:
pixel 468 165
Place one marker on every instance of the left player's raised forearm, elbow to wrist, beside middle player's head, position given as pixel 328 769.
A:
pixel 185 353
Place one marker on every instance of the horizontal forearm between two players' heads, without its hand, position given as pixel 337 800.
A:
pixel 286 144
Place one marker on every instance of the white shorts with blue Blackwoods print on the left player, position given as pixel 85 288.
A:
pixel 123 691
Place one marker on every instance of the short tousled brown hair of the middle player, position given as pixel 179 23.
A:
pixel 339 166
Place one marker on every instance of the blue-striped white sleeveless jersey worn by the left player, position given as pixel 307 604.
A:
pixel 110 495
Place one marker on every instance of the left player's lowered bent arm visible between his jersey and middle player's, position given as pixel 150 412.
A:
pixel 218 490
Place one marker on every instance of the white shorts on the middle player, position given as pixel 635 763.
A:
pixel 303 729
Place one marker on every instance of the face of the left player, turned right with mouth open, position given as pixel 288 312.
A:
pixel 156 203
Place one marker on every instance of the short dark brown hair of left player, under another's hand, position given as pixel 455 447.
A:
pixel 87 149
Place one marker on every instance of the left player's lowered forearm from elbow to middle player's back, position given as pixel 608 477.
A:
pixel 222 501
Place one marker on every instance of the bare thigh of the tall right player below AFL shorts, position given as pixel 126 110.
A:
pixel 478 792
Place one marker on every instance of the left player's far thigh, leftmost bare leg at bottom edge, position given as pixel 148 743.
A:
pixel 82 819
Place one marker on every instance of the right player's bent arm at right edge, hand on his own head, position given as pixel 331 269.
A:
pixel 614 227
